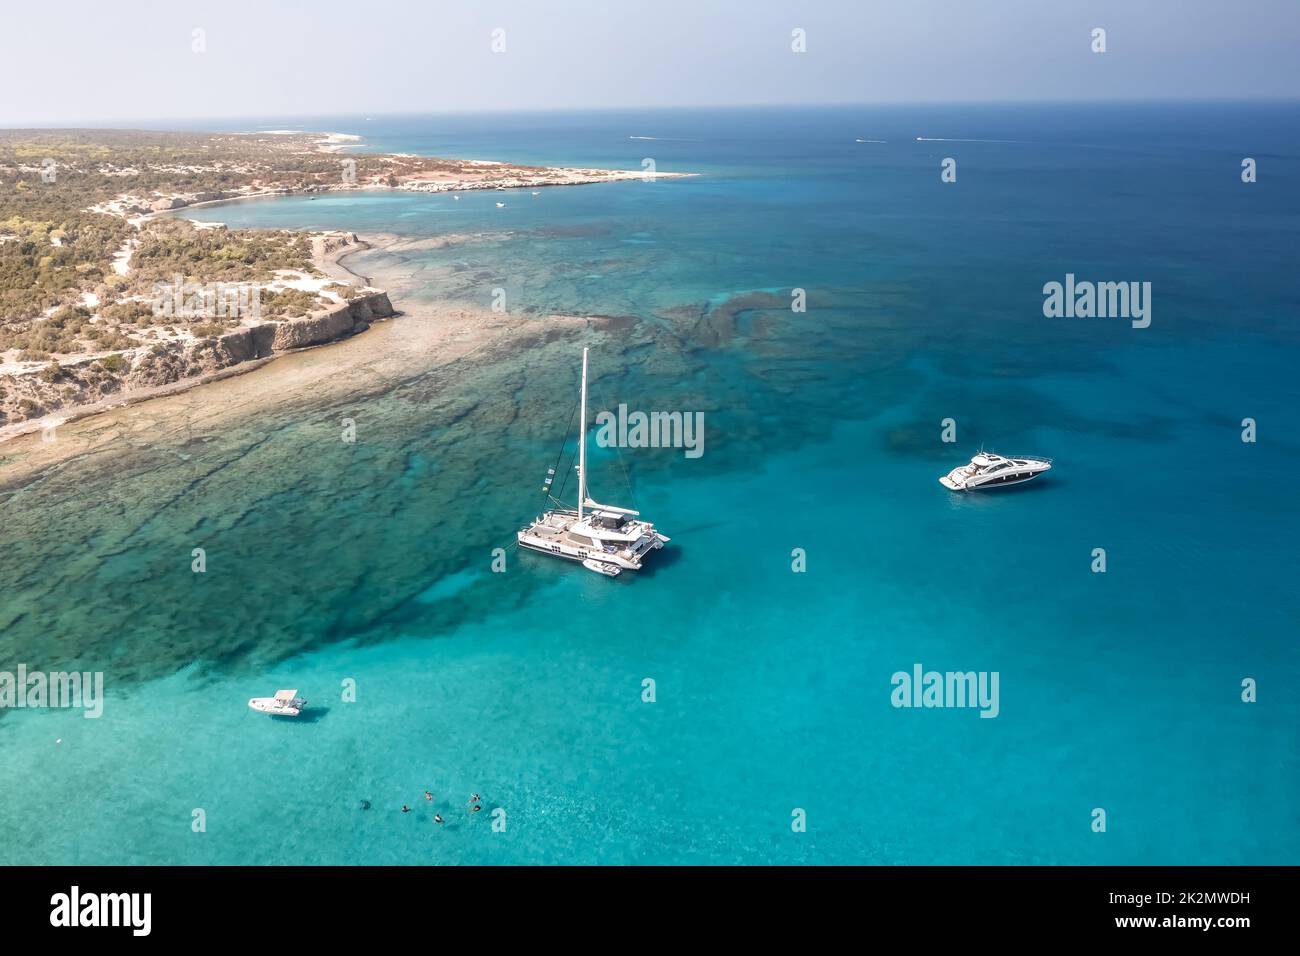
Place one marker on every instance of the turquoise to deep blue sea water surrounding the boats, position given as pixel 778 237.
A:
pixel 824 432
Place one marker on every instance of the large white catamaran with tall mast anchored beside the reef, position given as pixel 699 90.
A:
pixel 606 539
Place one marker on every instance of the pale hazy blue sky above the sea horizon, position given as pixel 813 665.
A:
pixel 101 62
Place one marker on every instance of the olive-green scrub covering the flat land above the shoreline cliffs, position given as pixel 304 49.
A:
pixel 54 246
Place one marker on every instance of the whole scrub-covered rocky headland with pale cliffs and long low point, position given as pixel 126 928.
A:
pixel 101 291
